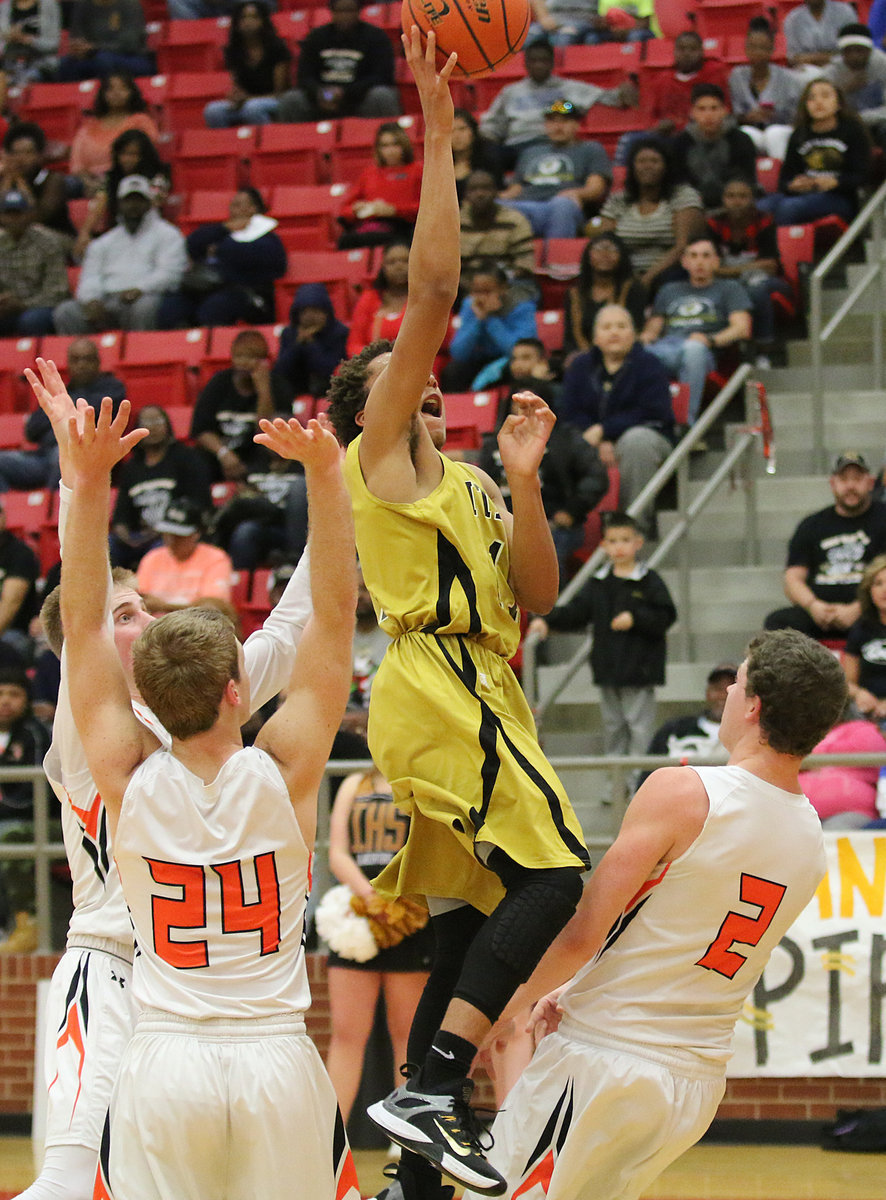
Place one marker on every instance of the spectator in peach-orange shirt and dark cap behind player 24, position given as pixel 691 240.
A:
pixel 185 569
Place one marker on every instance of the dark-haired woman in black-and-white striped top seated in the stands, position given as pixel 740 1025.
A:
pixel 655 215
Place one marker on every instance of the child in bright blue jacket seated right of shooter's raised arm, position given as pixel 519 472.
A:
pixel 490 323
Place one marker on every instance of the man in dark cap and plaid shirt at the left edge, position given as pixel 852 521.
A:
pixel 33 273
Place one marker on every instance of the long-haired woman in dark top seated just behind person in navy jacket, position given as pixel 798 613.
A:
pixel 606 277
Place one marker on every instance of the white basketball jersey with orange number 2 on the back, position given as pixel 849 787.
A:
pixel 679 964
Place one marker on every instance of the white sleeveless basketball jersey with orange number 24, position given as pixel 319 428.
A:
pixel 217 877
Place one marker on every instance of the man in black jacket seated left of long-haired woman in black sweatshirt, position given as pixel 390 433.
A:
pixel 711 148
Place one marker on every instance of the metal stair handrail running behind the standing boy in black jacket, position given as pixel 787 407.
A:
pixel 678 464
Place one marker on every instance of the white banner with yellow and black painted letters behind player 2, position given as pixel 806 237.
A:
pixel 819 1007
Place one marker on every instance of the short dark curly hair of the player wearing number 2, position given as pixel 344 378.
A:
pixel 801 689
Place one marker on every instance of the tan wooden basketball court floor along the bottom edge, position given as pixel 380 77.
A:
pixel 705 1173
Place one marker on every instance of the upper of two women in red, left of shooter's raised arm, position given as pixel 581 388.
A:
pixel 384 202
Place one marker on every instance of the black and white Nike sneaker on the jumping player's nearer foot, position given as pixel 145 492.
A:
pixel 442 1129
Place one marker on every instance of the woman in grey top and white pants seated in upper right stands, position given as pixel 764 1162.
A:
pixel 764 95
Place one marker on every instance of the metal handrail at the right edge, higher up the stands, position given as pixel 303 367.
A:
pixel 872 217
